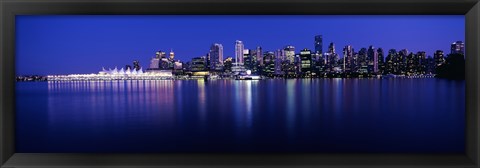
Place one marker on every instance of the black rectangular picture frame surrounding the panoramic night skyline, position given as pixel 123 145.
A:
pixel 10 8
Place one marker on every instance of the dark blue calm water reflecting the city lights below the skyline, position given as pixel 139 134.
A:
pixel 309 115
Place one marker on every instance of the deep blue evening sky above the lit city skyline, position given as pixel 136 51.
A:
pixel 85 44
